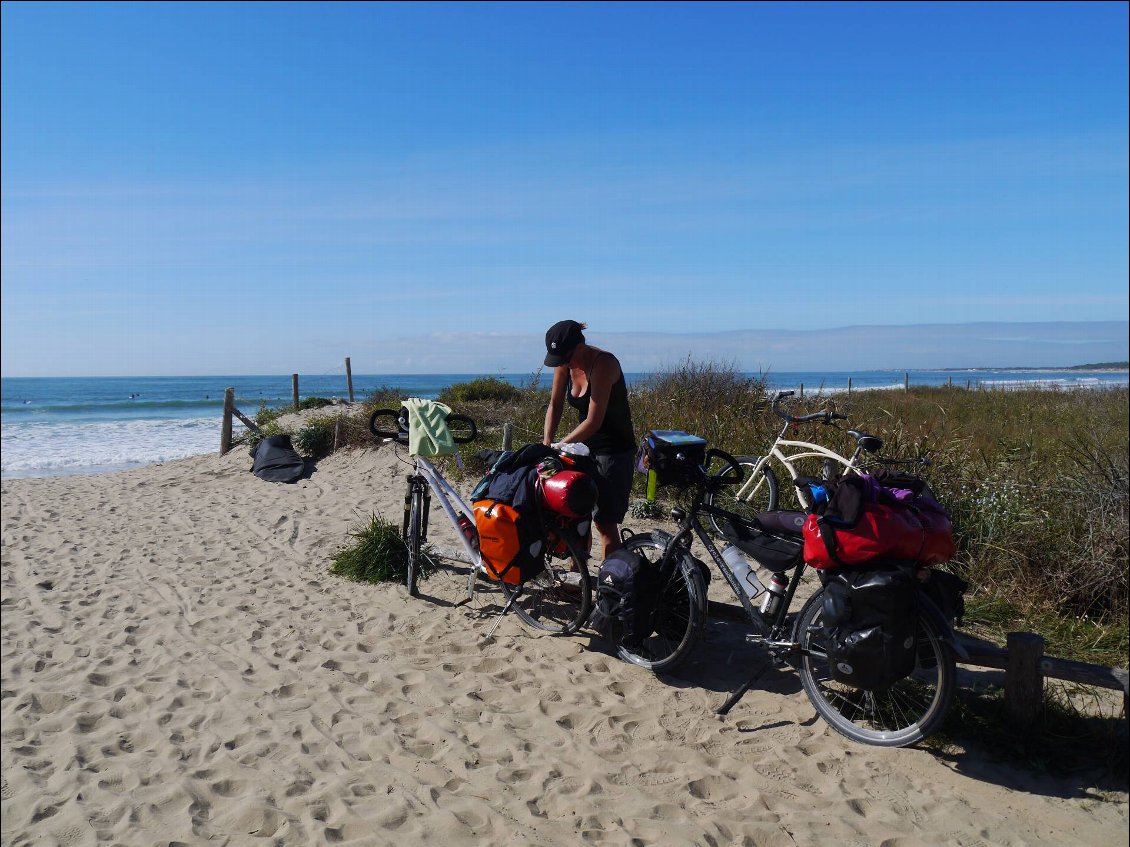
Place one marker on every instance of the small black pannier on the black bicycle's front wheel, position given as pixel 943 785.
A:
pixel 627 588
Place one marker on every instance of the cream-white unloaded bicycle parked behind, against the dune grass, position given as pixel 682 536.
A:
pixel 760 491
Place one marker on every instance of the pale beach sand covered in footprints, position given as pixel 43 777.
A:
pixel 179 667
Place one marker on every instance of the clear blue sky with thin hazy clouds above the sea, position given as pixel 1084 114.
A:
pixel 270 188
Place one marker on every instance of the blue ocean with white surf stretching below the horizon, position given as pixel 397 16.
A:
pixel 63 426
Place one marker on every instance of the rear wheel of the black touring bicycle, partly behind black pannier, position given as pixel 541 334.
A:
pixel 897 717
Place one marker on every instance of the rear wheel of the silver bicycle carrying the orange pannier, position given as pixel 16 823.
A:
pixel 558 600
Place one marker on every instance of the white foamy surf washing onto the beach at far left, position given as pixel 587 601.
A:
pixel 48 450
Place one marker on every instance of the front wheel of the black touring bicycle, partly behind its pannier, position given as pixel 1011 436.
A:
pixel 681 609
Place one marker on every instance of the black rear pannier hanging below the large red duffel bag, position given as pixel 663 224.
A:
pixel 871 626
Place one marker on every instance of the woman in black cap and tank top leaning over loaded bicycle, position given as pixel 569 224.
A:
pixel 592 381
